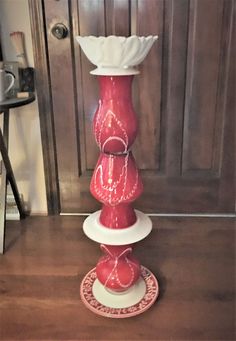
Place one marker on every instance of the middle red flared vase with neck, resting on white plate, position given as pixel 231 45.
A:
pixel 116 183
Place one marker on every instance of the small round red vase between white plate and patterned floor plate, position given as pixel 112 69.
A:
pixel 117 270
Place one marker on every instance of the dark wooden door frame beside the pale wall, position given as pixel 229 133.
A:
pixel 42 80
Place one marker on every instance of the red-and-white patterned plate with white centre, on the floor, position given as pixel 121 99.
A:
pixel 133 302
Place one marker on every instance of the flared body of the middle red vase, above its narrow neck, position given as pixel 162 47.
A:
pixel 116 179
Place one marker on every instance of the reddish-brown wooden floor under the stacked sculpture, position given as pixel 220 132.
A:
pixel 47 257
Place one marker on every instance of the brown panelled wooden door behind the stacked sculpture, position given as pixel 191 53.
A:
pixel 184 99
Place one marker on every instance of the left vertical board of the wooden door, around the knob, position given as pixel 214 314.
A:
pixel 64 110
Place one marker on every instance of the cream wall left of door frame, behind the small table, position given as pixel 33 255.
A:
pixel 25 147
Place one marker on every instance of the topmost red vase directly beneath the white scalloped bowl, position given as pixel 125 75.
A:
pixel 115 123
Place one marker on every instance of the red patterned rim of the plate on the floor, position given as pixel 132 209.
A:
pixel 145 273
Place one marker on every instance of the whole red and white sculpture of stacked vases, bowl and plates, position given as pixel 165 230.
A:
pixel 118 286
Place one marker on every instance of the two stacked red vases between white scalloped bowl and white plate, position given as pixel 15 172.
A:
pixel 116 181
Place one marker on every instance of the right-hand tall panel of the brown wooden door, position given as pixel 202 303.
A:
pixel 205 84
